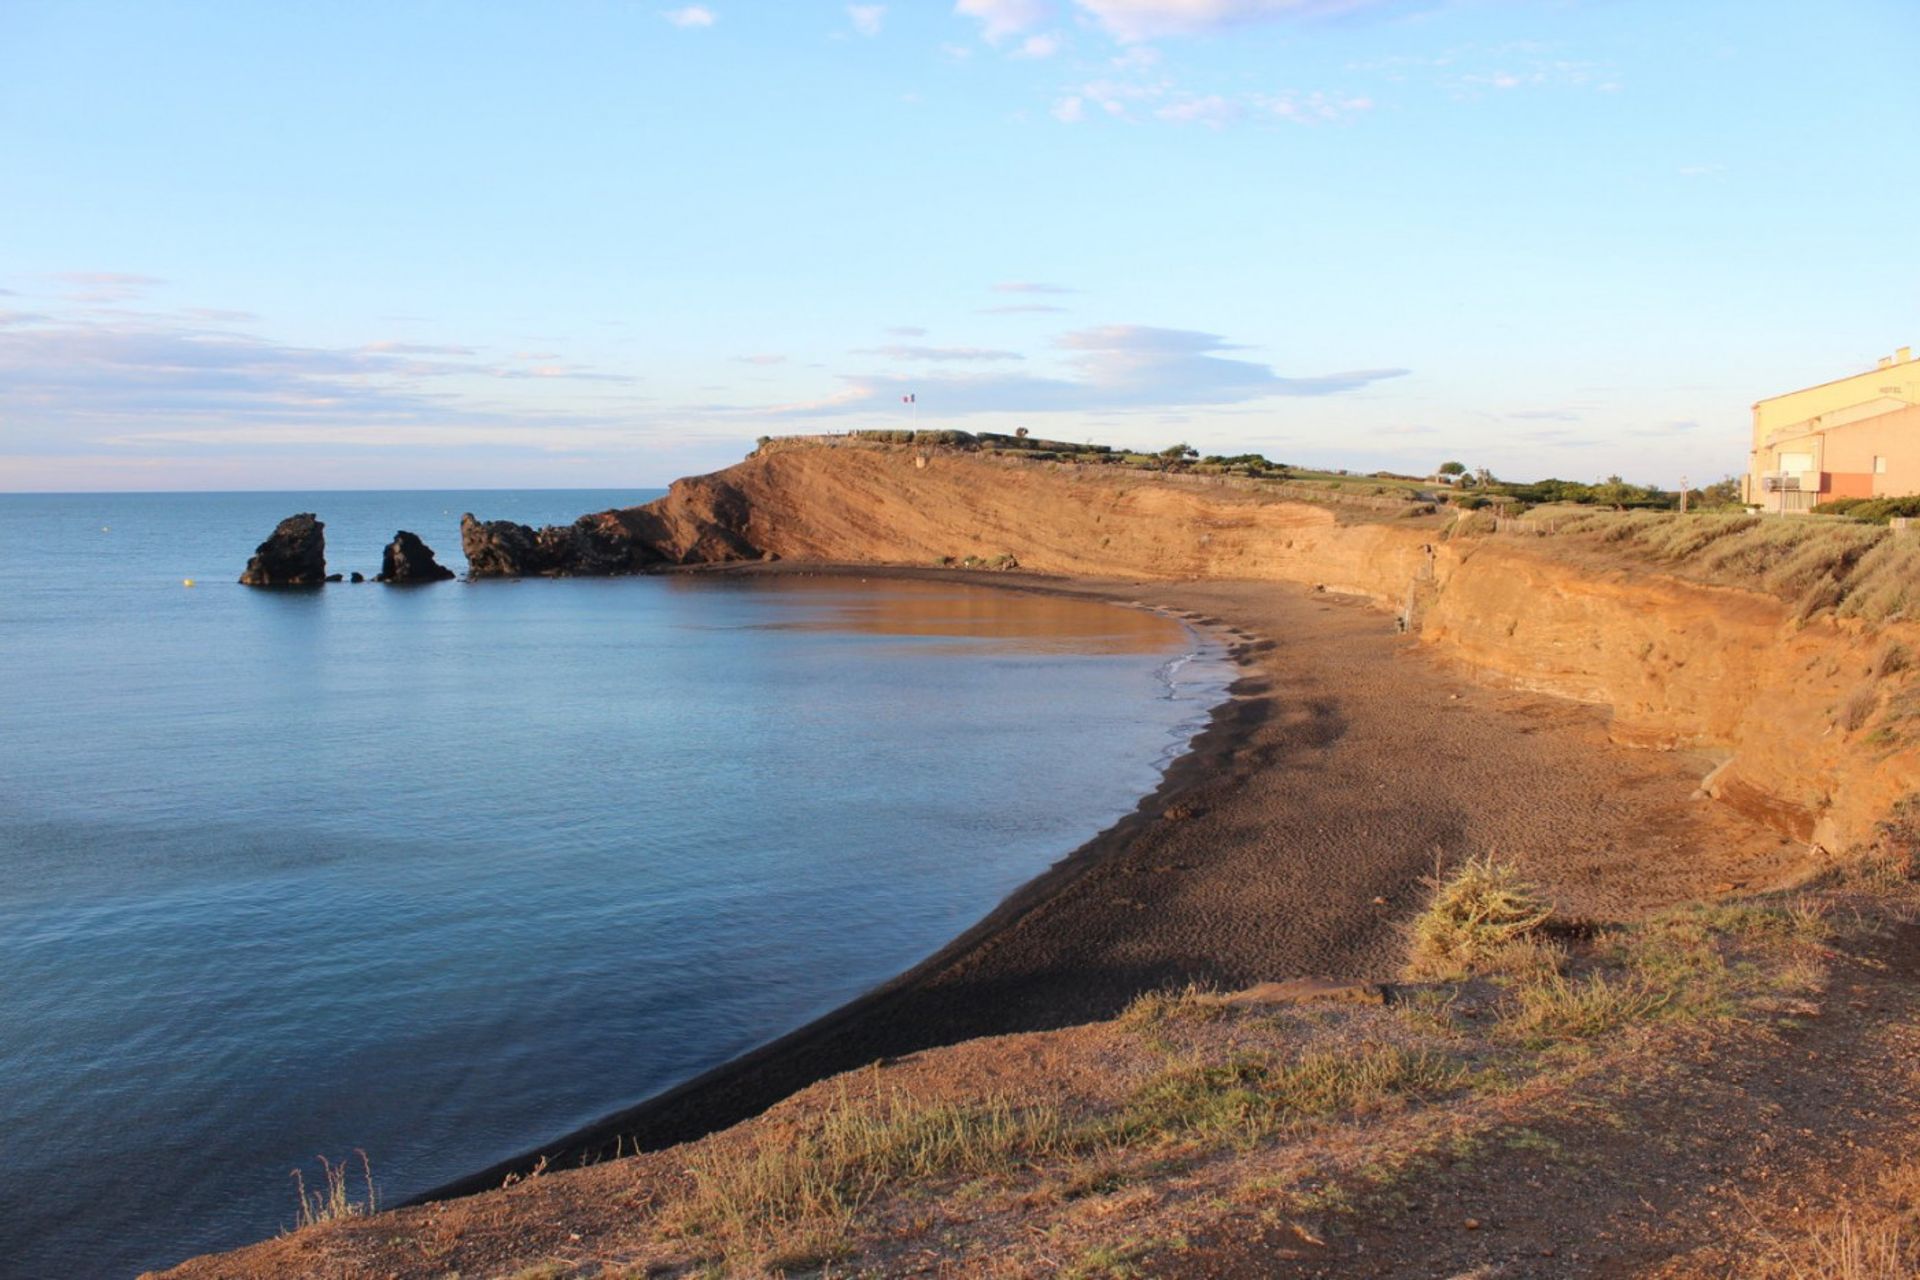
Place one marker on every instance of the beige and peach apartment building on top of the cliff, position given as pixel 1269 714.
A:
pixel 1856 437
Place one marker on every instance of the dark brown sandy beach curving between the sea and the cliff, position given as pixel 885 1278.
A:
pixel 1291 841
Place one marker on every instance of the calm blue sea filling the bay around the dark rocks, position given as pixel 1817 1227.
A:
pixel 444 872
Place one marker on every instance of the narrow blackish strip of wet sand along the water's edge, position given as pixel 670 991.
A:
pixel 838 1041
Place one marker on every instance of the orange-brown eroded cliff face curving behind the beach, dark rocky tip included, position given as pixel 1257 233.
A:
pixel 1806 715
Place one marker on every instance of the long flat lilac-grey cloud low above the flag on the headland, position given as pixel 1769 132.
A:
pixel 1111 367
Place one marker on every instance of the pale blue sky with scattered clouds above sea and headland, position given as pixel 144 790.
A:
pixel 604 243
